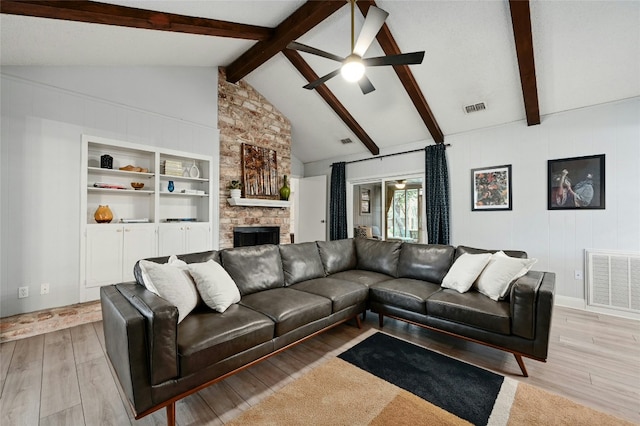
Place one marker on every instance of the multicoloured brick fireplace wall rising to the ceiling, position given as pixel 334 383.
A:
pixel 245 116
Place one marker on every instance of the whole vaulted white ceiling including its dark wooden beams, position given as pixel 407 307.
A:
pixel 524 60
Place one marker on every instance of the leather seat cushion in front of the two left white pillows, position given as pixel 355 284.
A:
pixel 237 329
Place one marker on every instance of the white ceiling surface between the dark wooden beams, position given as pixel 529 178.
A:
pixel 586 53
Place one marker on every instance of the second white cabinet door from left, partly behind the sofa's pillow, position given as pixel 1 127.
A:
pixel 140 242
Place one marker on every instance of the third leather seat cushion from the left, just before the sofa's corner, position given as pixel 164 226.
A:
pixel 342 294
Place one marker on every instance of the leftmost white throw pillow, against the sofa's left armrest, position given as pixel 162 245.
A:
pixel 172 284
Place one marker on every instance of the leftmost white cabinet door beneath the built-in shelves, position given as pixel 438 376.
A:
pixel 104 255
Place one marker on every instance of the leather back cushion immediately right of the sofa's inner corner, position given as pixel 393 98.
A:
pixel 378 256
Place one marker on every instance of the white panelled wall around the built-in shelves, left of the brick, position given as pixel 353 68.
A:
pixel 45 110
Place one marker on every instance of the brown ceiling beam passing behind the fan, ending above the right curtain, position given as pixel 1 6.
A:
pixel 390 47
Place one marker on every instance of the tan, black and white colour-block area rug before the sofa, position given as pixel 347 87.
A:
pixel 387 381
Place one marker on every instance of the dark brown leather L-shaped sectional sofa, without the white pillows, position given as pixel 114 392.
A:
pixel 290 293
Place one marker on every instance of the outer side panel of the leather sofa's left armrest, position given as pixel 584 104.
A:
pixel 124 330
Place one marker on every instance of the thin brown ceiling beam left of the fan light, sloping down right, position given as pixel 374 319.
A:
pixel 296 59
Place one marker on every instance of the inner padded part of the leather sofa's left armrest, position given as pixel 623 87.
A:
pixel 161 321
